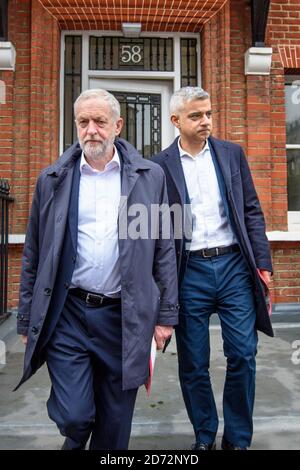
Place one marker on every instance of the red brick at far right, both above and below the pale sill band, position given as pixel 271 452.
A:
pixel 283 35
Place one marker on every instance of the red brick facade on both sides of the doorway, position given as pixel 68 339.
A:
pixel 247 110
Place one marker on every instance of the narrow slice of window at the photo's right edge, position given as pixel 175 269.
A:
pixel 292 105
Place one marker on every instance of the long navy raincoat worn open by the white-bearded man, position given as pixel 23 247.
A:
pixel 148 267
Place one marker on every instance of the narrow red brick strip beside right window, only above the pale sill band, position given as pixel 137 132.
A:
pixel 284 35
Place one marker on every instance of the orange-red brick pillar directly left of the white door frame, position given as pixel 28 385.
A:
pixel 44 97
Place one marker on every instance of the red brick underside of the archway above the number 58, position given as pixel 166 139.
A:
pixel 155 15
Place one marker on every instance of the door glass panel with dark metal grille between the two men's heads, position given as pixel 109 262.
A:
pixel 142 121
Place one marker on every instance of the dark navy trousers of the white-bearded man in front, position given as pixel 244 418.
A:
pixel 84 359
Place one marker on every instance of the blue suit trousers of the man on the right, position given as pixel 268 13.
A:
pixel 224 285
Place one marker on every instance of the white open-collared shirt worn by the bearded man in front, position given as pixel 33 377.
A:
pixel 97 262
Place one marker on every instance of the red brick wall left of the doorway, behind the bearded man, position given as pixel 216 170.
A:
pixel 29 120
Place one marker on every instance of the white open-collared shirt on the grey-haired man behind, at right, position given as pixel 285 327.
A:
pixel 211 227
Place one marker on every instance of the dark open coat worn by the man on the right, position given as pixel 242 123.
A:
pixel 241 204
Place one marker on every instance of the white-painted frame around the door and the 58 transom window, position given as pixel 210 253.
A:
pixel 174 76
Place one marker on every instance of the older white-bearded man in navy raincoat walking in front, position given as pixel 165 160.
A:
pixel 90 300
